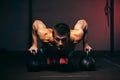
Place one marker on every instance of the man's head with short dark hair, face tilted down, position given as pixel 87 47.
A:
pixel 61 35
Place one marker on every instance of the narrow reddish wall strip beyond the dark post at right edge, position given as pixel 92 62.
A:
pixel 117 24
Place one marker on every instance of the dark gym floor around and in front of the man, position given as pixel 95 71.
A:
pixel 13 67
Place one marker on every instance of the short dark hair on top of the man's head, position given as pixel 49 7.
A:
pixel 62 29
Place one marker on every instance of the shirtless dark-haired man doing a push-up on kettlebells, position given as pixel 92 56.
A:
pixel 60 41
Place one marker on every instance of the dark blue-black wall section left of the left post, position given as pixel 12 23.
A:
pixel 14 24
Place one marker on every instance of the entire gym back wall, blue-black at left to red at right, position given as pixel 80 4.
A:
pixel 14 20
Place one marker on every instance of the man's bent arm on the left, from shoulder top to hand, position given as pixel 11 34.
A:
pixel 37 24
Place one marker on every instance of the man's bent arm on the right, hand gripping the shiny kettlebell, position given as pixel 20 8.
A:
pixel 82 25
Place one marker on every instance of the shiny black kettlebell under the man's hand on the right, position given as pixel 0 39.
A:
pixel 88 62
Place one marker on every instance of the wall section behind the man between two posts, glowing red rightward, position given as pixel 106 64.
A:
pixel 69 11
